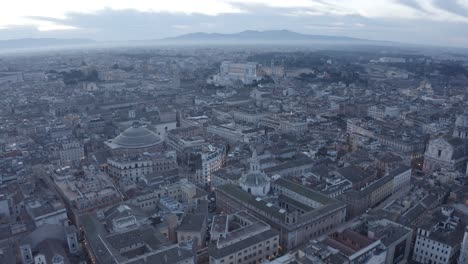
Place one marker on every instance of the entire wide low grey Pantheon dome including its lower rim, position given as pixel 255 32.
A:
pixel 134 139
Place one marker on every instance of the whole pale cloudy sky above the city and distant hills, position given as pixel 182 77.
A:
pixel 439 22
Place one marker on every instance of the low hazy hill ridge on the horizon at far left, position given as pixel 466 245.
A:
pixel 32 43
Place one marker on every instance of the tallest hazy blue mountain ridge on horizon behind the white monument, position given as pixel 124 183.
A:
pixel 270 36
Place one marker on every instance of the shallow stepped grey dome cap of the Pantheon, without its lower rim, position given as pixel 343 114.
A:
pixel 136 137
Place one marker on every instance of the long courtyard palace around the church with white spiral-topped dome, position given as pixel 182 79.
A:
pixel 296 212
